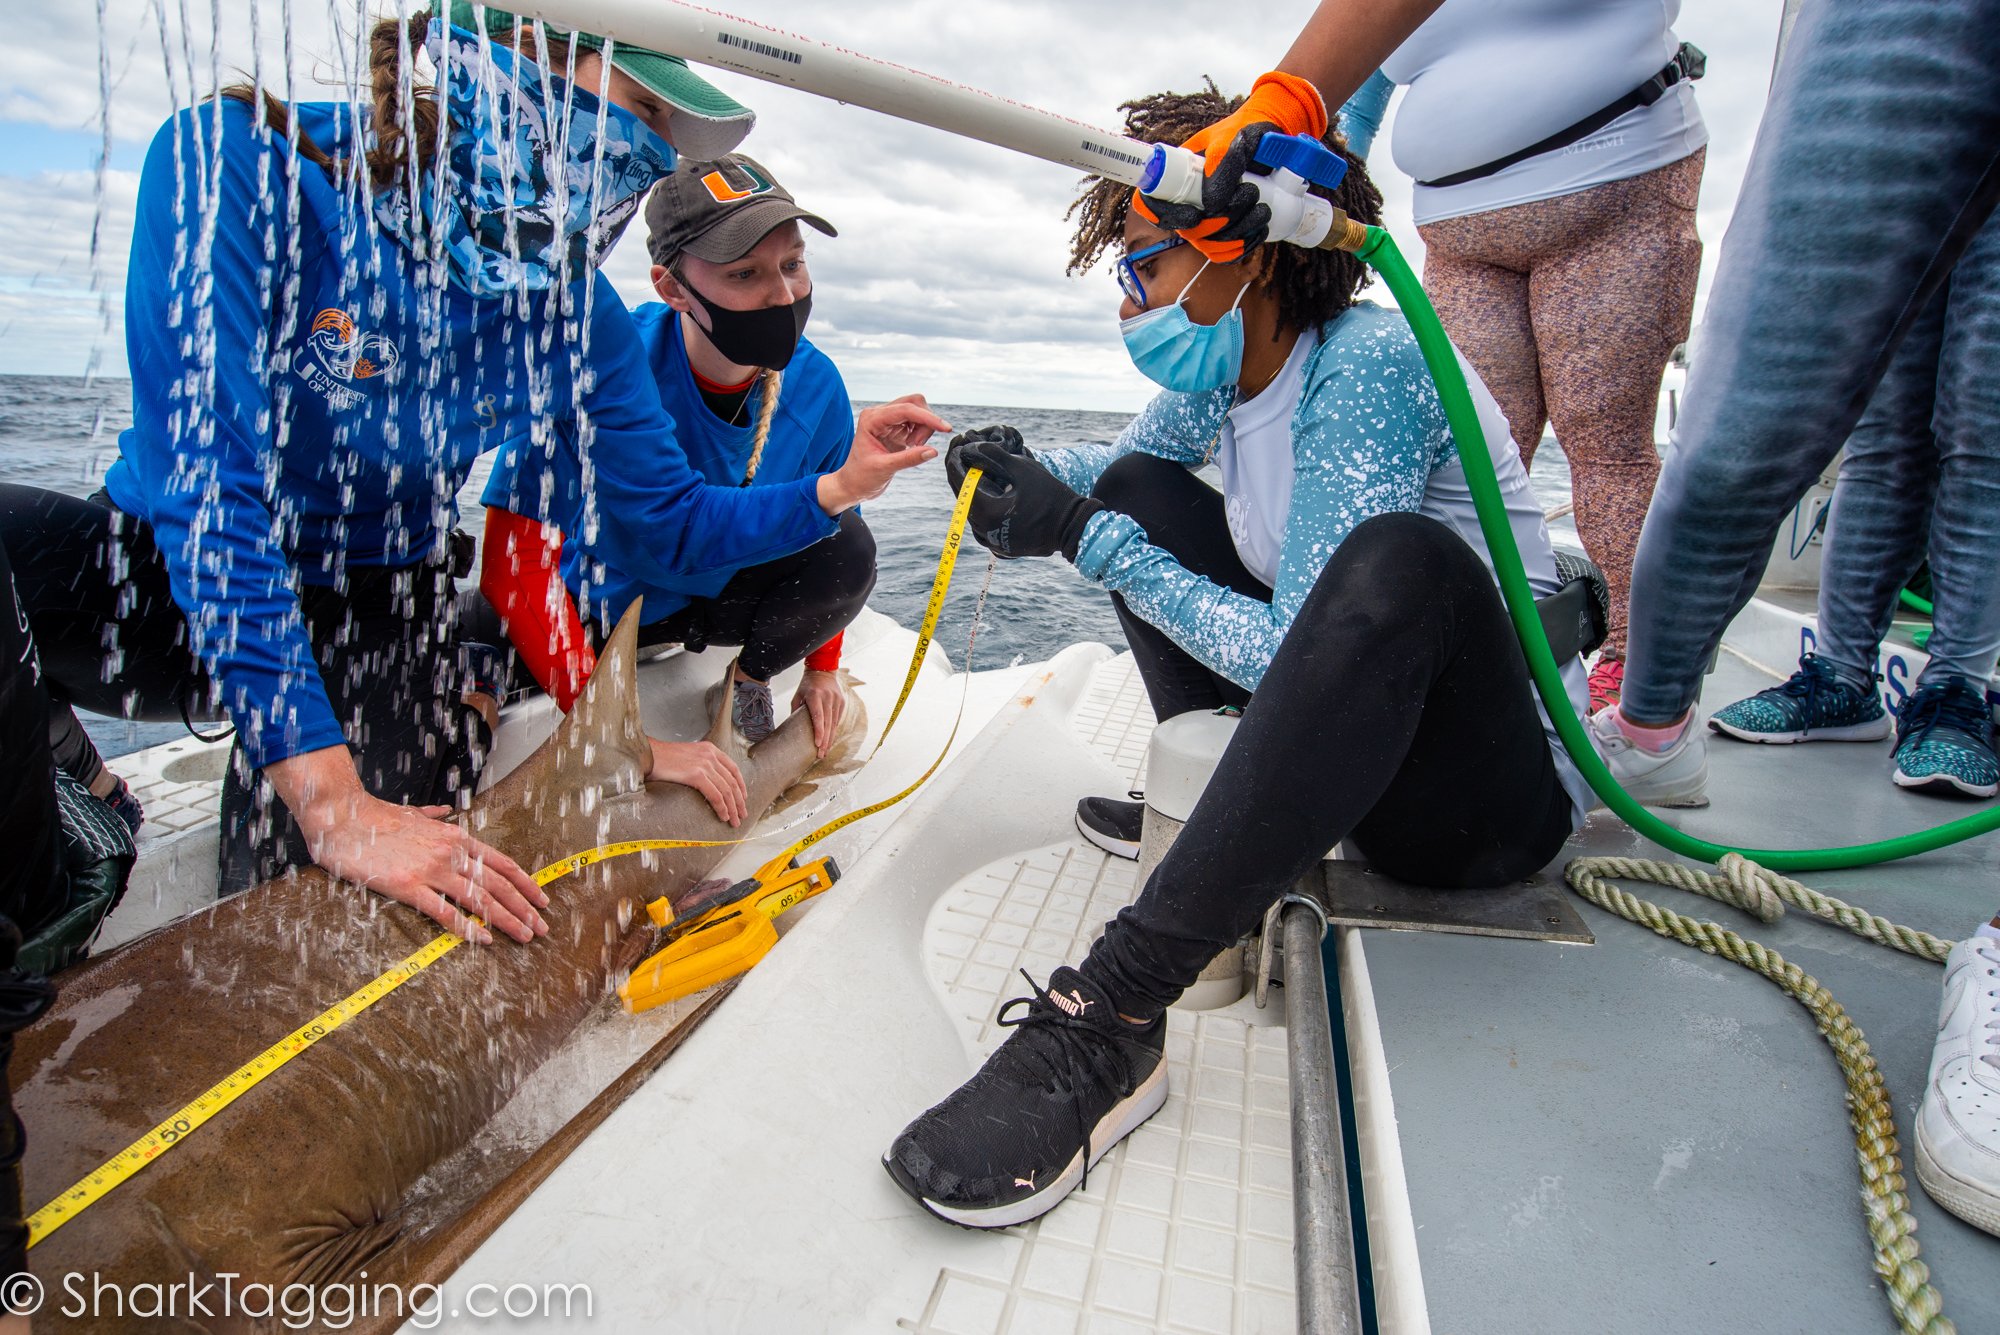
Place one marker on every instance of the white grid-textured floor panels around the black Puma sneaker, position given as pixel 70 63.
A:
pixel 1187 1226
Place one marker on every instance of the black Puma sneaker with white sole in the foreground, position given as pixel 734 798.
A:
pixel 1023 1134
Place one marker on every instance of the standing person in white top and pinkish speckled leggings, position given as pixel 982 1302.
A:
pixel 1559 229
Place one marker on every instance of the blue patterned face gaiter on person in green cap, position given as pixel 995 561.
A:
pixel 527 203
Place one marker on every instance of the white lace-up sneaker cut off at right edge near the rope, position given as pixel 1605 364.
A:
pixel 1959 1122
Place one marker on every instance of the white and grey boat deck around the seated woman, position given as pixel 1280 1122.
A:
pixel 1553 1138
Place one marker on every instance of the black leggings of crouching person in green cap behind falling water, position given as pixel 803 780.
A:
pixel 115 643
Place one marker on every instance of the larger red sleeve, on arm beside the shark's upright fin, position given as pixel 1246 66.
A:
pixel 521 577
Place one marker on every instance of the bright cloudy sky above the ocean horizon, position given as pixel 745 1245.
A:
pixel 947 277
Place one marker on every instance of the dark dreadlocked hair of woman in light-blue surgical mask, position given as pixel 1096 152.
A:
pixel 1311 287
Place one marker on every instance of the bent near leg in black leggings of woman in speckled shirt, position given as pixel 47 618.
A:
pixel 1399 714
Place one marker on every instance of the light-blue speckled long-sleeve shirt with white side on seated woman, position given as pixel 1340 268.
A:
pixel 1369 437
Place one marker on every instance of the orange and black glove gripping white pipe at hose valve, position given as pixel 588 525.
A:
pixel 1231 221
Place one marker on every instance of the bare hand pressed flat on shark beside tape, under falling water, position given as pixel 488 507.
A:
pixel 407 854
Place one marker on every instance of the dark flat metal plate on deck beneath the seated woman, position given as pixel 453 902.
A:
pixel 1539 908
